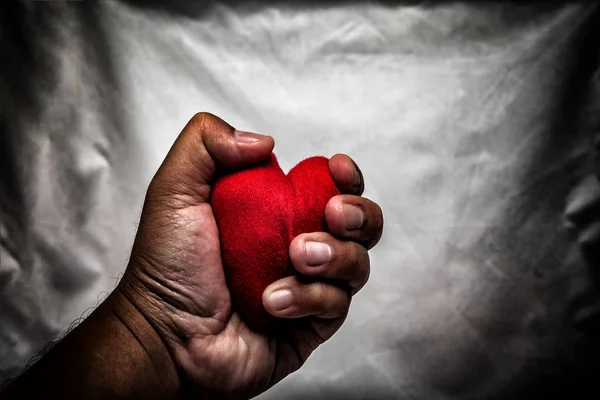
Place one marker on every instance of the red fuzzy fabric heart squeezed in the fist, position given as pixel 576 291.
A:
pixel 259 211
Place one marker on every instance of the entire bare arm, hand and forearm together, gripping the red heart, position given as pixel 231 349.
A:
pixel 169 328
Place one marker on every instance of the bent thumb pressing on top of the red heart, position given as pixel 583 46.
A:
pixel 206 146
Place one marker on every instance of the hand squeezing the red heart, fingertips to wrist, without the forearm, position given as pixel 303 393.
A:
pixel 175 276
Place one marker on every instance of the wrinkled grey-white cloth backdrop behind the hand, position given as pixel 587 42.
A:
pixel 474 124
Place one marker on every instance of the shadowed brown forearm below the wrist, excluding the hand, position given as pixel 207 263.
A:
pixel 113 354
